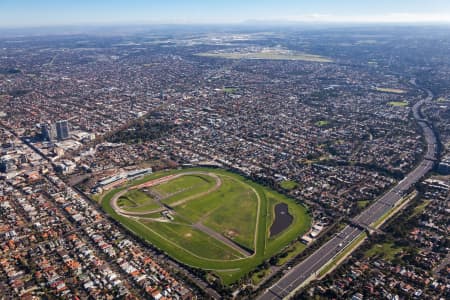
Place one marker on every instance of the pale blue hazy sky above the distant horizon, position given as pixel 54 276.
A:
pixel 24 13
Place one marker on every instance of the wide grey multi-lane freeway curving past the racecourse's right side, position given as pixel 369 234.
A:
pixel 310 266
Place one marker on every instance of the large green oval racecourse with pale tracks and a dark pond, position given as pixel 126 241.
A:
pixel 207 218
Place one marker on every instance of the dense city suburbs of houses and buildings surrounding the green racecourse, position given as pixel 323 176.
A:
pixel 334 130
